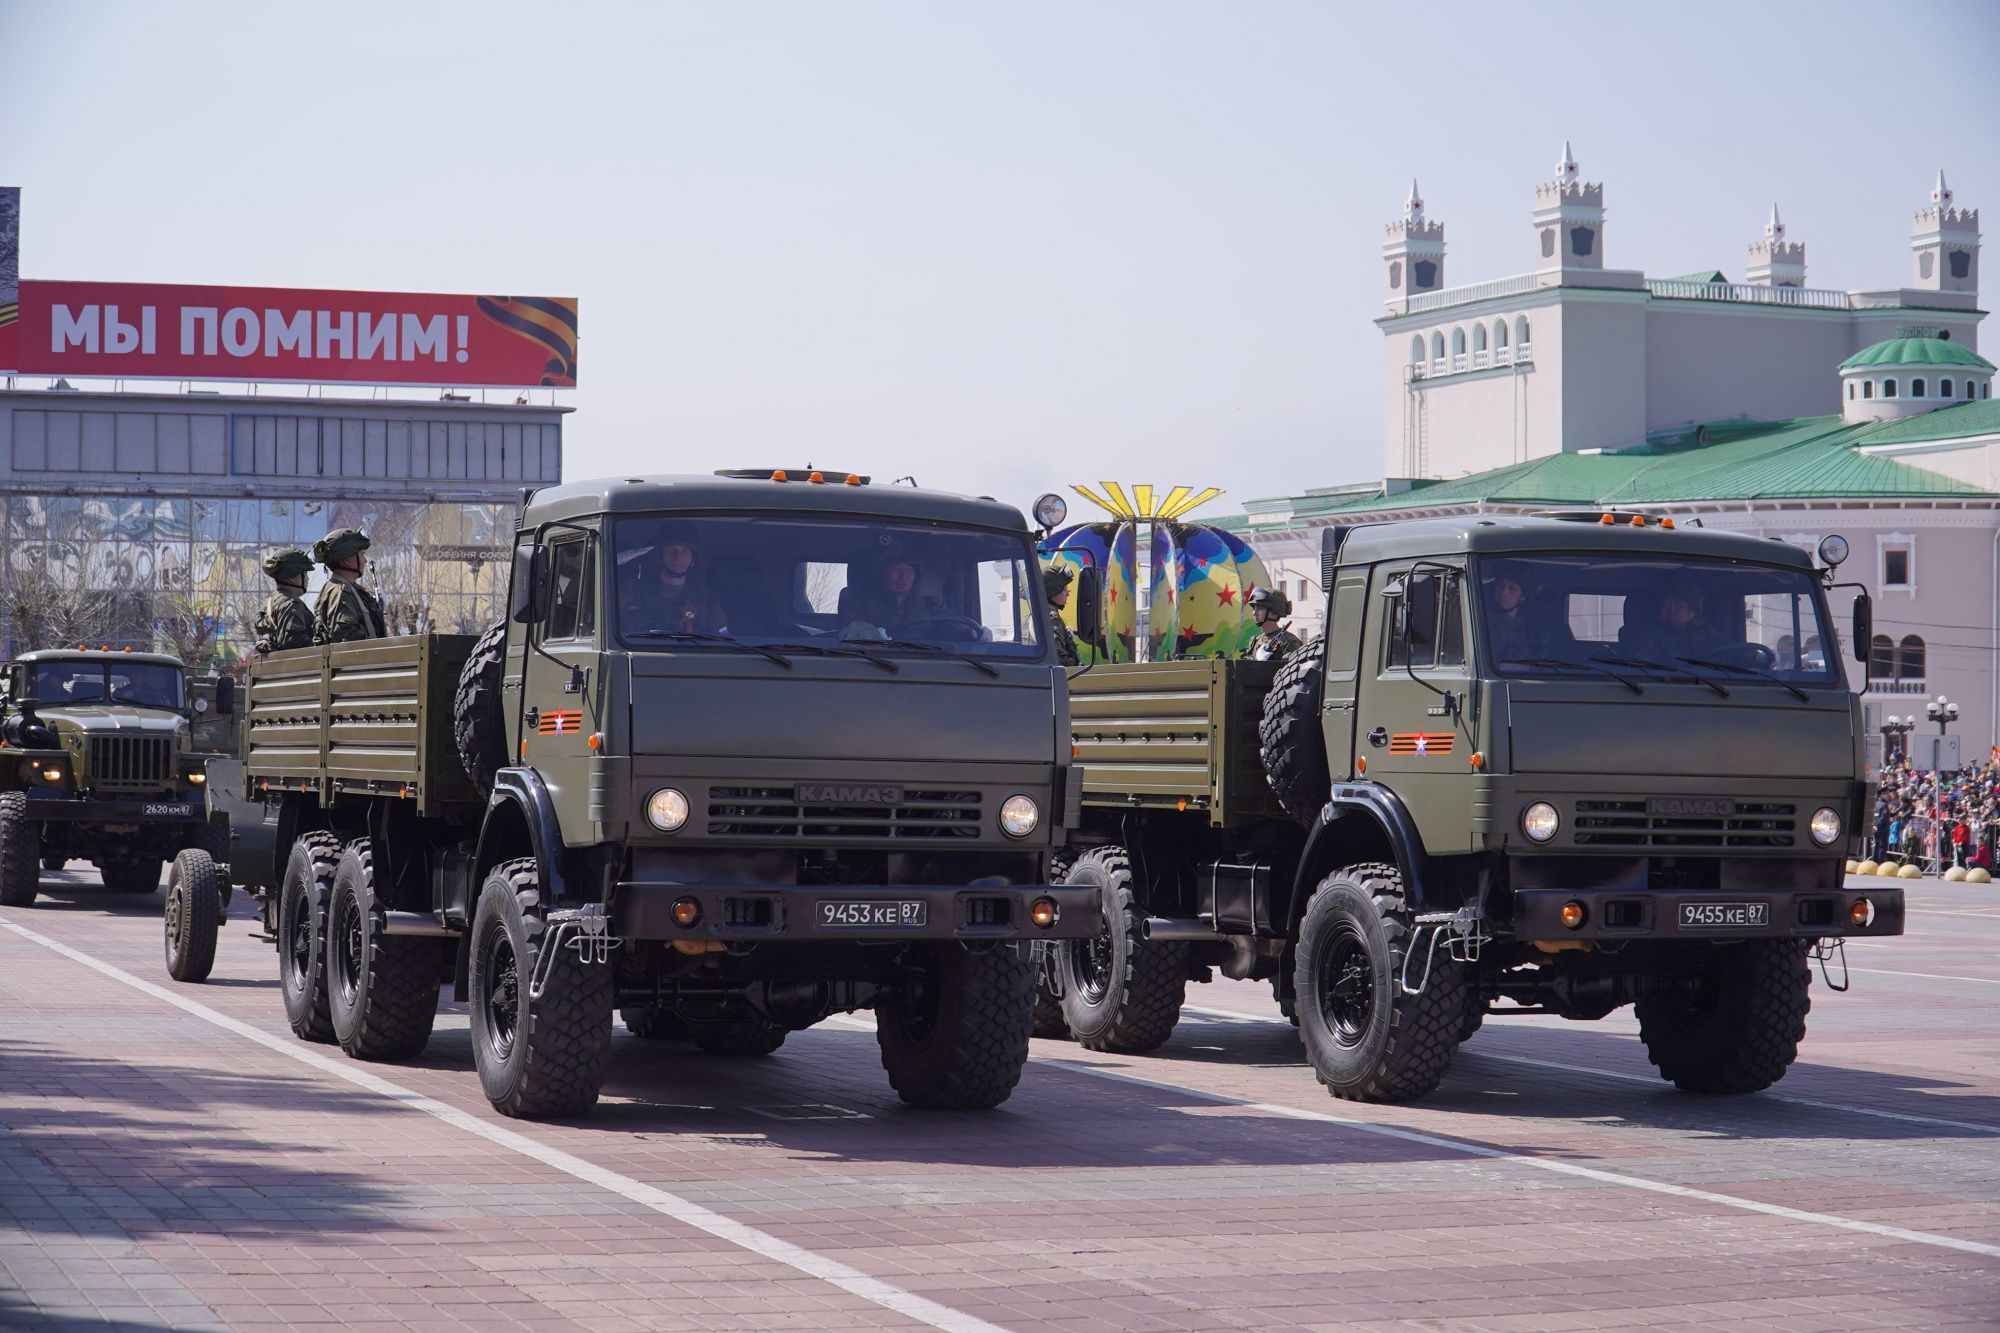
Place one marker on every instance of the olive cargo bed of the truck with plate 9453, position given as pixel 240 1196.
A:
pixel 359 720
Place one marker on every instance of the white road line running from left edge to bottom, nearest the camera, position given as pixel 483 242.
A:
pixel 661 1202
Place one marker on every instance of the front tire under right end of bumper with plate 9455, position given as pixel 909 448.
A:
pixel 1735 1028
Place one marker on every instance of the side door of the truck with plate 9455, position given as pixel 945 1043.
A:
pixel 1415 694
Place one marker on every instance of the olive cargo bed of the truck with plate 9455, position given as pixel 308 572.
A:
pixel 1175 736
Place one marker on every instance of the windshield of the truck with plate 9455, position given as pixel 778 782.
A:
pixel 1547 615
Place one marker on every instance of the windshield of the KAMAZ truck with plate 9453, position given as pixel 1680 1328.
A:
pixel 773 581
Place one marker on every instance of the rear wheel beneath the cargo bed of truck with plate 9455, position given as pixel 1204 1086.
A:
pixel 1121 992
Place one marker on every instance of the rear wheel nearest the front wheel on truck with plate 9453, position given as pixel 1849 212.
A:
pixel 381 990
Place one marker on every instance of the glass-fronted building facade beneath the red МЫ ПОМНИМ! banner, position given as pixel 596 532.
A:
pixel 141 519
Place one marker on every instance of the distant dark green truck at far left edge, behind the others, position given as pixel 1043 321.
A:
pixel 97 766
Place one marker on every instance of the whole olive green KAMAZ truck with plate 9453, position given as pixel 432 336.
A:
pixel 747 752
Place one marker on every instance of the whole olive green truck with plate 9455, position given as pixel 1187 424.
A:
pixel 1537 766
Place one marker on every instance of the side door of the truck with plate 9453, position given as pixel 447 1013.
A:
pixel 561 680
